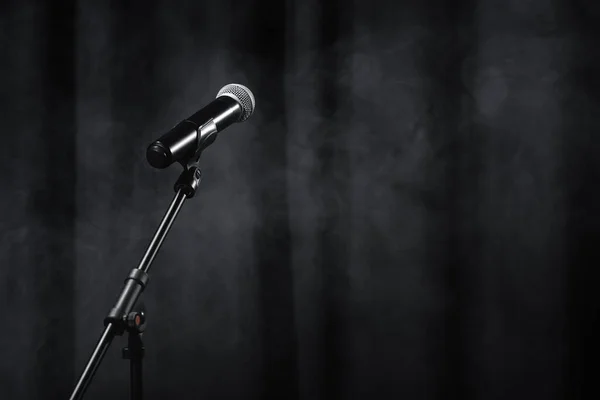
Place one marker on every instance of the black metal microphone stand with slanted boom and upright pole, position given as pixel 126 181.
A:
pixel 121 317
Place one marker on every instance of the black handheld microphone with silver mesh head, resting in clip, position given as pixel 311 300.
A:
pixel 234 103
